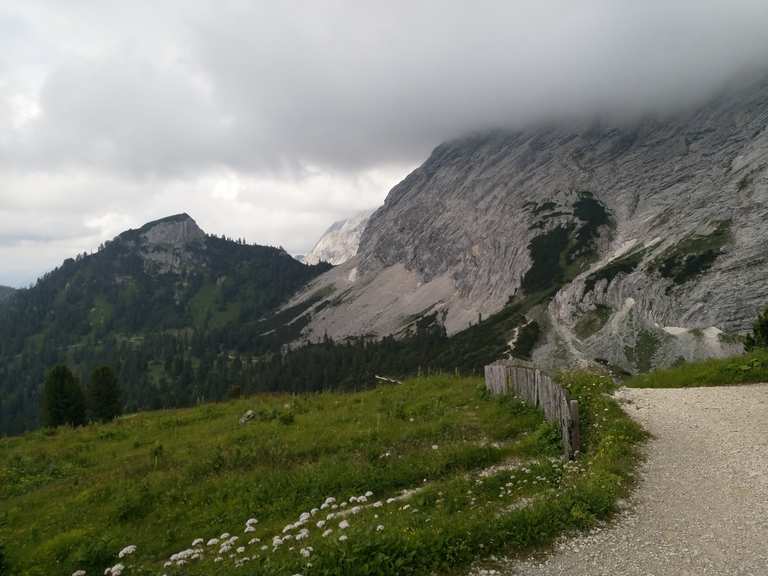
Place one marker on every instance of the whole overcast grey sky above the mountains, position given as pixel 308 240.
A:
pixel 269 120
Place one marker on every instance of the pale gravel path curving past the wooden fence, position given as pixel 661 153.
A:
pixel 701 507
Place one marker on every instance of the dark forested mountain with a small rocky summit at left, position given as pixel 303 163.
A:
pixel 156 303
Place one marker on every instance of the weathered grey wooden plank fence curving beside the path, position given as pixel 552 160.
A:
pixel 537 389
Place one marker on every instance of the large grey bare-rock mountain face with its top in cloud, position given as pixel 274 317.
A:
pixel 635 245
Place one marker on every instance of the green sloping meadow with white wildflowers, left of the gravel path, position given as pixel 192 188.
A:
pixel 71 499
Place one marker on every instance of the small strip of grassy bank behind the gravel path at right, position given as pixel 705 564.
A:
pixel 745 369
